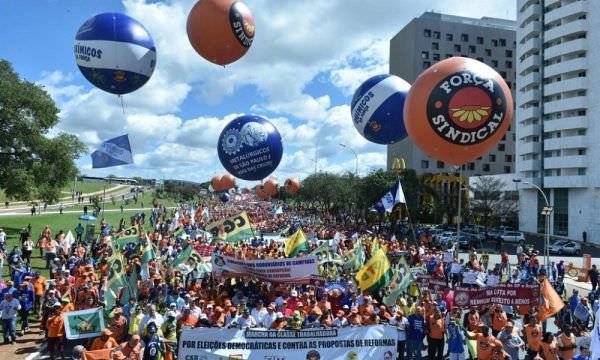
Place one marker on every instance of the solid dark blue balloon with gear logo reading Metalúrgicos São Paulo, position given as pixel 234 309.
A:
pixel 250 147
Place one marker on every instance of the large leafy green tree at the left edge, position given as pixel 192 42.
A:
pixel 31 163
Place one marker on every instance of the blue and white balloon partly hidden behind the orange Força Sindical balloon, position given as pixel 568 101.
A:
pixel 378 109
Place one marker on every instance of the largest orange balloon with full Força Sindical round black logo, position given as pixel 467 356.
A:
pixel 457 110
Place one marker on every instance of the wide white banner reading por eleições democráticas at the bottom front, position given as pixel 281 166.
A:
pixel 368 342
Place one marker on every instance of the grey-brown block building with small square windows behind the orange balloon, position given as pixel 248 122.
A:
pixel 433 37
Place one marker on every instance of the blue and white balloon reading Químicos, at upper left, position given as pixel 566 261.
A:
pixel 115 53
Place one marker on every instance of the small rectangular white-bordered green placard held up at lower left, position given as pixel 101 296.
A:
pixel 84 323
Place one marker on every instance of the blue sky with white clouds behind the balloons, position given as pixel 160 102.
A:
pixel 307 59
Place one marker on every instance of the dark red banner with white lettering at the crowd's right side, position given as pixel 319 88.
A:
pixel 505 294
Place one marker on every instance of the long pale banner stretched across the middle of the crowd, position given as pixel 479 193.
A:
pixel 296 270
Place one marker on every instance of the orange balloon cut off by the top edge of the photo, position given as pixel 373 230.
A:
pixel 221 31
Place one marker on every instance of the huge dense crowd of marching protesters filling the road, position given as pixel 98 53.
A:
pixel 170 299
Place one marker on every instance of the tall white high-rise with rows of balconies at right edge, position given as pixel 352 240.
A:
pixel 557 97
